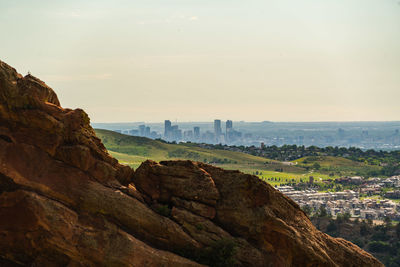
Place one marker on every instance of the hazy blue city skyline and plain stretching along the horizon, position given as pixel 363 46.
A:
pixel 376 135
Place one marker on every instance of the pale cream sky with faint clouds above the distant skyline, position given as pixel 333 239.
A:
pixel 197 60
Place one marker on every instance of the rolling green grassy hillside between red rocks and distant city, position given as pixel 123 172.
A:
pixel 132 151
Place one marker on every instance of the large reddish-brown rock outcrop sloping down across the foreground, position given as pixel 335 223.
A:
pixel 65 202
